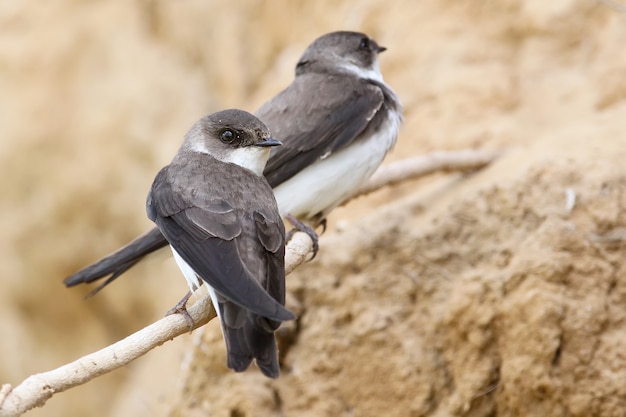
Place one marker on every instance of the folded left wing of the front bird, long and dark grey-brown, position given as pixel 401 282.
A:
pixel 205 235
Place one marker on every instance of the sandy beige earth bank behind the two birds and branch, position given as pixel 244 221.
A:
pixel 475 295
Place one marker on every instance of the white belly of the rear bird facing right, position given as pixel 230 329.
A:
pixel 329 182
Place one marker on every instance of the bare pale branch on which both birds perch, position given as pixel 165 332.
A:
pixel 37 389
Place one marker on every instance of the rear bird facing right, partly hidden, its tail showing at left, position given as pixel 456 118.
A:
pixel 337 121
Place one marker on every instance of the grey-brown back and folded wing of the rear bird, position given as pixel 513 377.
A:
pixel 328 118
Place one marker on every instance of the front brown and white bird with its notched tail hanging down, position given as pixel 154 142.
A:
pixel 220 218
